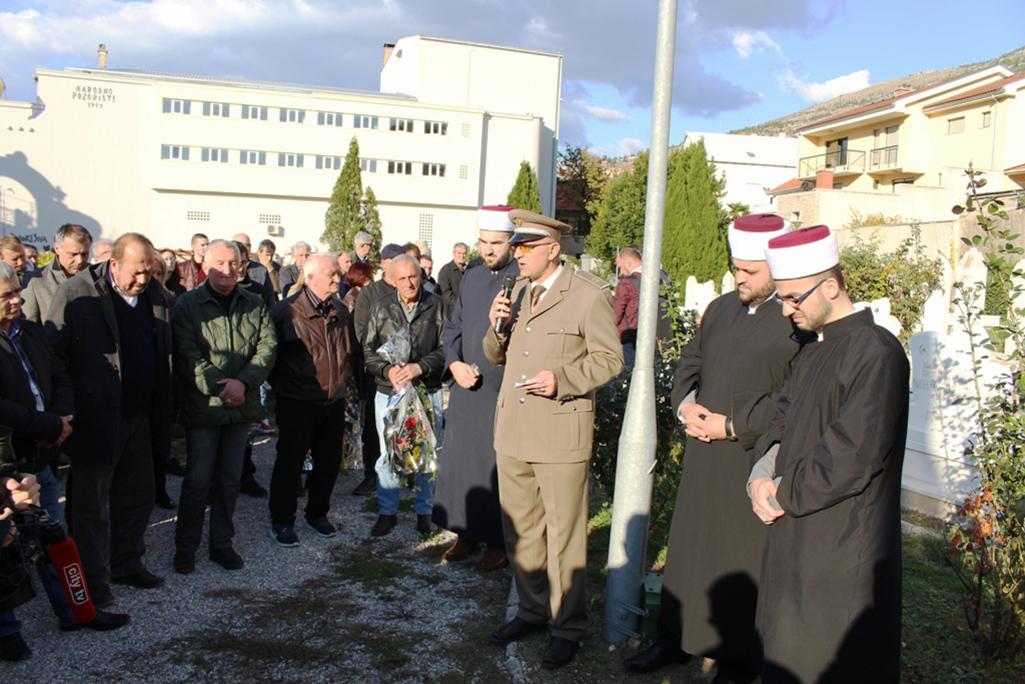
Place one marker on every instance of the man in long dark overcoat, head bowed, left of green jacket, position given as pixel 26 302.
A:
pixel 110 326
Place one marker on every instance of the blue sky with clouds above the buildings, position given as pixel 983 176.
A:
pixel 739 62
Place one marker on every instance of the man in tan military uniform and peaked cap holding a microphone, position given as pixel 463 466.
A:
pixel 559 344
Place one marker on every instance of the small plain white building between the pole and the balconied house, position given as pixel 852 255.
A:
pixel 752 165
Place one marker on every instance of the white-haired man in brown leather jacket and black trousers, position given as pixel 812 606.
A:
pixel 316 352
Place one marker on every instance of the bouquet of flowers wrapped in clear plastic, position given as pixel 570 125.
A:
pixel 409 434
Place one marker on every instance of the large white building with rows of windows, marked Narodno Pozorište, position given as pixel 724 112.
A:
pixel 173 155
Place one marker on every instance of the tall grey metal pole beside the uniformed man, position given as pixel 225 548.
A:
pixel 632 503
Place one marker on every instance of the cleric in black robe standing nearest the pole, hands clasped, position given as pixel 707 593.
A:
pixel 723 394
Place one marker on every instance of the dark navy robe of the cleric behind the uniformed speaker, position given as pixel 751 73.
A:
pixel 467 492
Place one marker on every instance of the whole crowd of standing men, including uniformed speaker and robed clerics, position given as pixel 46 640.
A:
pixel 785 557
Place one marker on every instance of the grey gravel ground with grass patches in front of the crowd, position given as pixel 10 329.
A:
pixel 345 610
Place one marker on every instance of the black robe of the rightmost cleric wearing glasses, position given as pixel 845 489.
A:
pixel 831 606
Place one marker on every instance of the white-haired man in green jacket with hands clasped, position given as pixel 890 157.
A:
pixel 225 348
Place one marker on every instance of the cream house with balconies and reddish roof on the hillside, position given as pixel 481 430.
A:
pixel 904 157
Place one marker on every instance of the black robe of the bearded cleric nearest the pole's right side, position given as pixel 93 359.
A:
pixel 735 361
